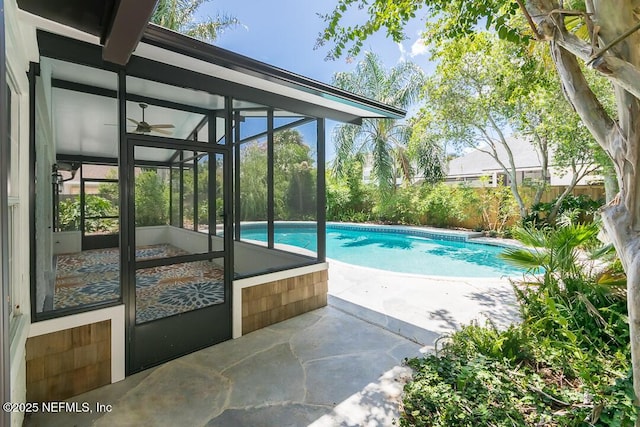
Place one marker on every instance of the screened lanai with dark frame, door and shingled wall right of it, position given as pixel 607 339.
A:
pixel 164 189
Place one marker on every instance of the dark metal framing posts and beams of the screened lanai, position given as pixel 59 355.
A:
pixel 78 52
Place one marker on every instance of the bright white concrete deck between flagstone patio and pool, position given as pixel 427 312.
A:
pixel 420 308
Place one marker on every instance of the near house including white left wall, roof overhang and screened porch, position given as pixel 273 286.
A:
pixel 172 269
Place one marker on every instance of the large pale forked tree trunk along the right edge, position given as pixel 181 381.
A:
pixel 621 139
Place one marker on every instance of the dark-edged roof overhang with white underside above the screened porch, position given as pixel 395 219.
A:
pixel 78 40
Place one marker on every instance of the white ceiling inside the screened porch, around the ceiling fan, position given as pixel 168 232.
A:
pixel 86 124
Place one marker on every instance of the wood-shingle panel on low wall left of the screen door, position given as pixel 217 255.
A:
pixel 66 363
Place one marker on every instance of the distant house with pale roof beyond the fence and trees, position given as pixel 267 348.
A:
pixel 471 167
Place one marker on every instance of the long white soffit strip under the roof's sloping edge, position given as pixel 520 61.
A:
pixel 188 63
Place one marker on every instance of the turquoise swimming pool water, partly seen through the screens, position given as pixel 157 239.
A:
pixel 392 249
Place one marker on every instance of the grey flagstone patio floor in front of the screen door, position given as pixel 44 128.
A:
pixel 324 368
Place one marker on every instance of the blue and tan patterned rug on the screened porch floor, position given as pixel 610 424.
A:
pixel 93 276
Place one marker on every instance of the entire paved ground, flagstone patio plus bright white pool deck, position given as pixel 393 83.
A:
pixel 337 366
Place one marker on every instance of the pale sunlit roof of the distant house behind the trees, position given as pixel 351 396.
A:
pixel 478 162
